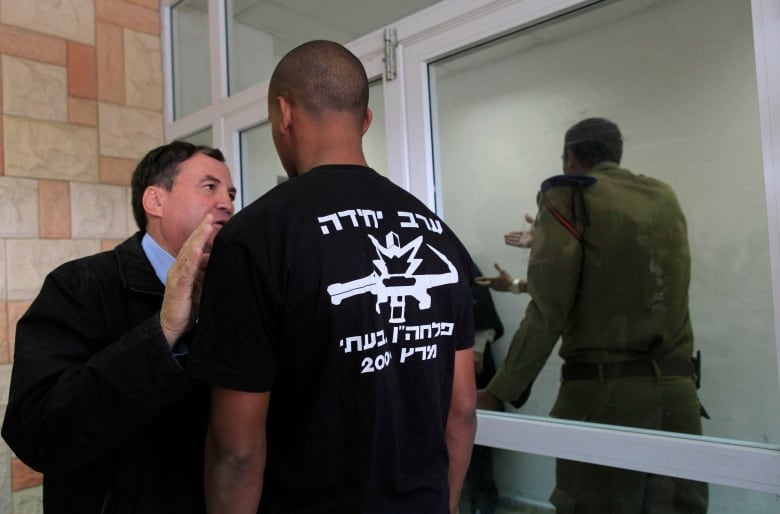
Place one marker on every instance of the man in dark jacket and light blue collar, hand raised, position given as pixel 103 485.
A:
pixel 99 401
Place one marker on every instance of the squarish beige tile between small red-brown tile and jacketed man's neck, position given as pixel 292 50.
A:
pixel 97 211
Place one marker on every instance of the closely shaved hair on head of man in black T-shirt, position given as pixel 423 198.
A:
pixel 322 77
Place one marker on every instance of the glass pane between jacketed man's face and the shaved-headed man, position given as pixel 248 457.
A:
pixel 261 169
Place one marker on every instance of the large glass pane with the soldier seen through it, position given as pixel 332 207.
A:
pixel 687 107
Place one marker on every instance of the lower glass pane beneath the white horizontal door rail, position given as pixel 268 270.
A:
pixel 517 483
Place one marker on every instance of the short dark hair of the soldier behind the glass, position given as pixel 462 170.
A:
pixel 594 140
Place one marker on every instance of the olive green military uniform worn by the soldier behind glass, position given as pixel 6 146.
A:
pixel 608 273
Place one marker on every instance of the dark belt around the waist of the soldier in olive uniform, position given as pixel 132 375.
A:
pixel 677 367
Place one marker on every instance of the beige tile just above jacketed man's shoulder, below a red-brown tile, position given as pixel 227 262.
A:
pixel 33 259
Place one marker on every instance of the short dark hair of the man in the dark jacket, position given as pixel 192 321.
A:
pixel 160 167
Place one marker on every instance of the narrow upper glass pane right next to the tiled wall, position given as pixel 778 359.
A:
pixel 190 57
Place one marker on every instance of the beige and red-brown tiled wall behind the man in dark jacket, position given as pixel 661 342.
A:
pixel 81 95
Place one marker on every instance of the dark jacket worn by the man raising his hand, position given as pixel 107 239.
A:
pixel 98 403
